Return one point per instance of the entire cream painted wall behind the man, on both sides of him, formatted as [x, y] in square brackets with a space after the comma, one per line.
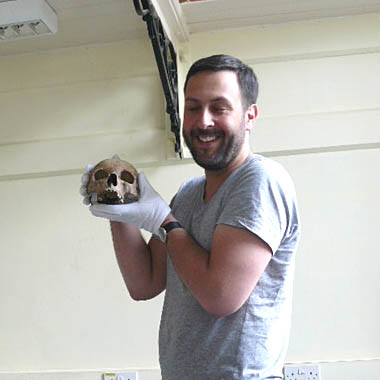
[65, 311]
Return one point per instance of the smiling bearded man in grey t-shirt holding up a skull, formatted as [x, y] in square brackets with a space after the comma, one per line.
[227, 259]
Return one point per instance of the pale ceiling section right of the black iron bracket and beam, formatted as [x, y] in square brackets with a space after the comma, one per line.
[211, 15]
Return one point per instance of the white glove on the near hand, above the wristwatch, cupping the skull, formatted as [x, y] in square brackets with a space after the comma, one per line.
[148, 212]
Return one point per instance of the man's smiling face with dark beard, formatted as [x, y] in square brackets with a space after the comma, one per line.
[214, 125]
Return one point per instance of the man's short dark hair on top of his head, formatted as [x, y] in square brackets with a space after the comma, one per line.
[247, 79]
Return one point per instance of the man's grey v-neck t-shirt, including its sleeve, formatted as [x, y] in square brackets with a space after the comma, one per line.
[252, 342]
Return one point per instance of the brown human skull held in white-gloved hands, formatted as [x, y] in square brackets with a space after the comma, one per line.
[114, 181]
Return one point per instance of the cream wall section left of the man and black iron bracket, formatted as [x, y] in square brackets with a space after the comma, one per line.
[64, 305]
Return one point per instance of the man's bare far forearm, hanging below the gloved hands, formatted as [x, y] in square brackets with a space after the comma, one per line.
[143, 266]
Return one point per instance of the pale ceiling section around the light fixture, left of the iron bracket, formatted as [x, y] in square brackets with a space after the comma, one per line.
[84, 22]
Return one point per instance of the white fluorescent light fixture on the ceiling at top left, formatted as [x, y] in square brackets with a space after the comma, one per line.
[26, 19]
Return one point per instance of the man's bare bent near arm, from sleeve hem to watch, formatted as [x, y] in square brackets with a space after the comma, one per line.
[223, 280]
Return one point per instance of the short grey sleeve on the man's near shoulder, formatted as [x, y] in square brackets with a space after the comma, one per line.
[258, 200]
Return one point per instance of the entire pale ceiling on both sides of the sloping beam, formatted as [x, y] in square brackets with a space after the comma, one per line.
[89, 22]
